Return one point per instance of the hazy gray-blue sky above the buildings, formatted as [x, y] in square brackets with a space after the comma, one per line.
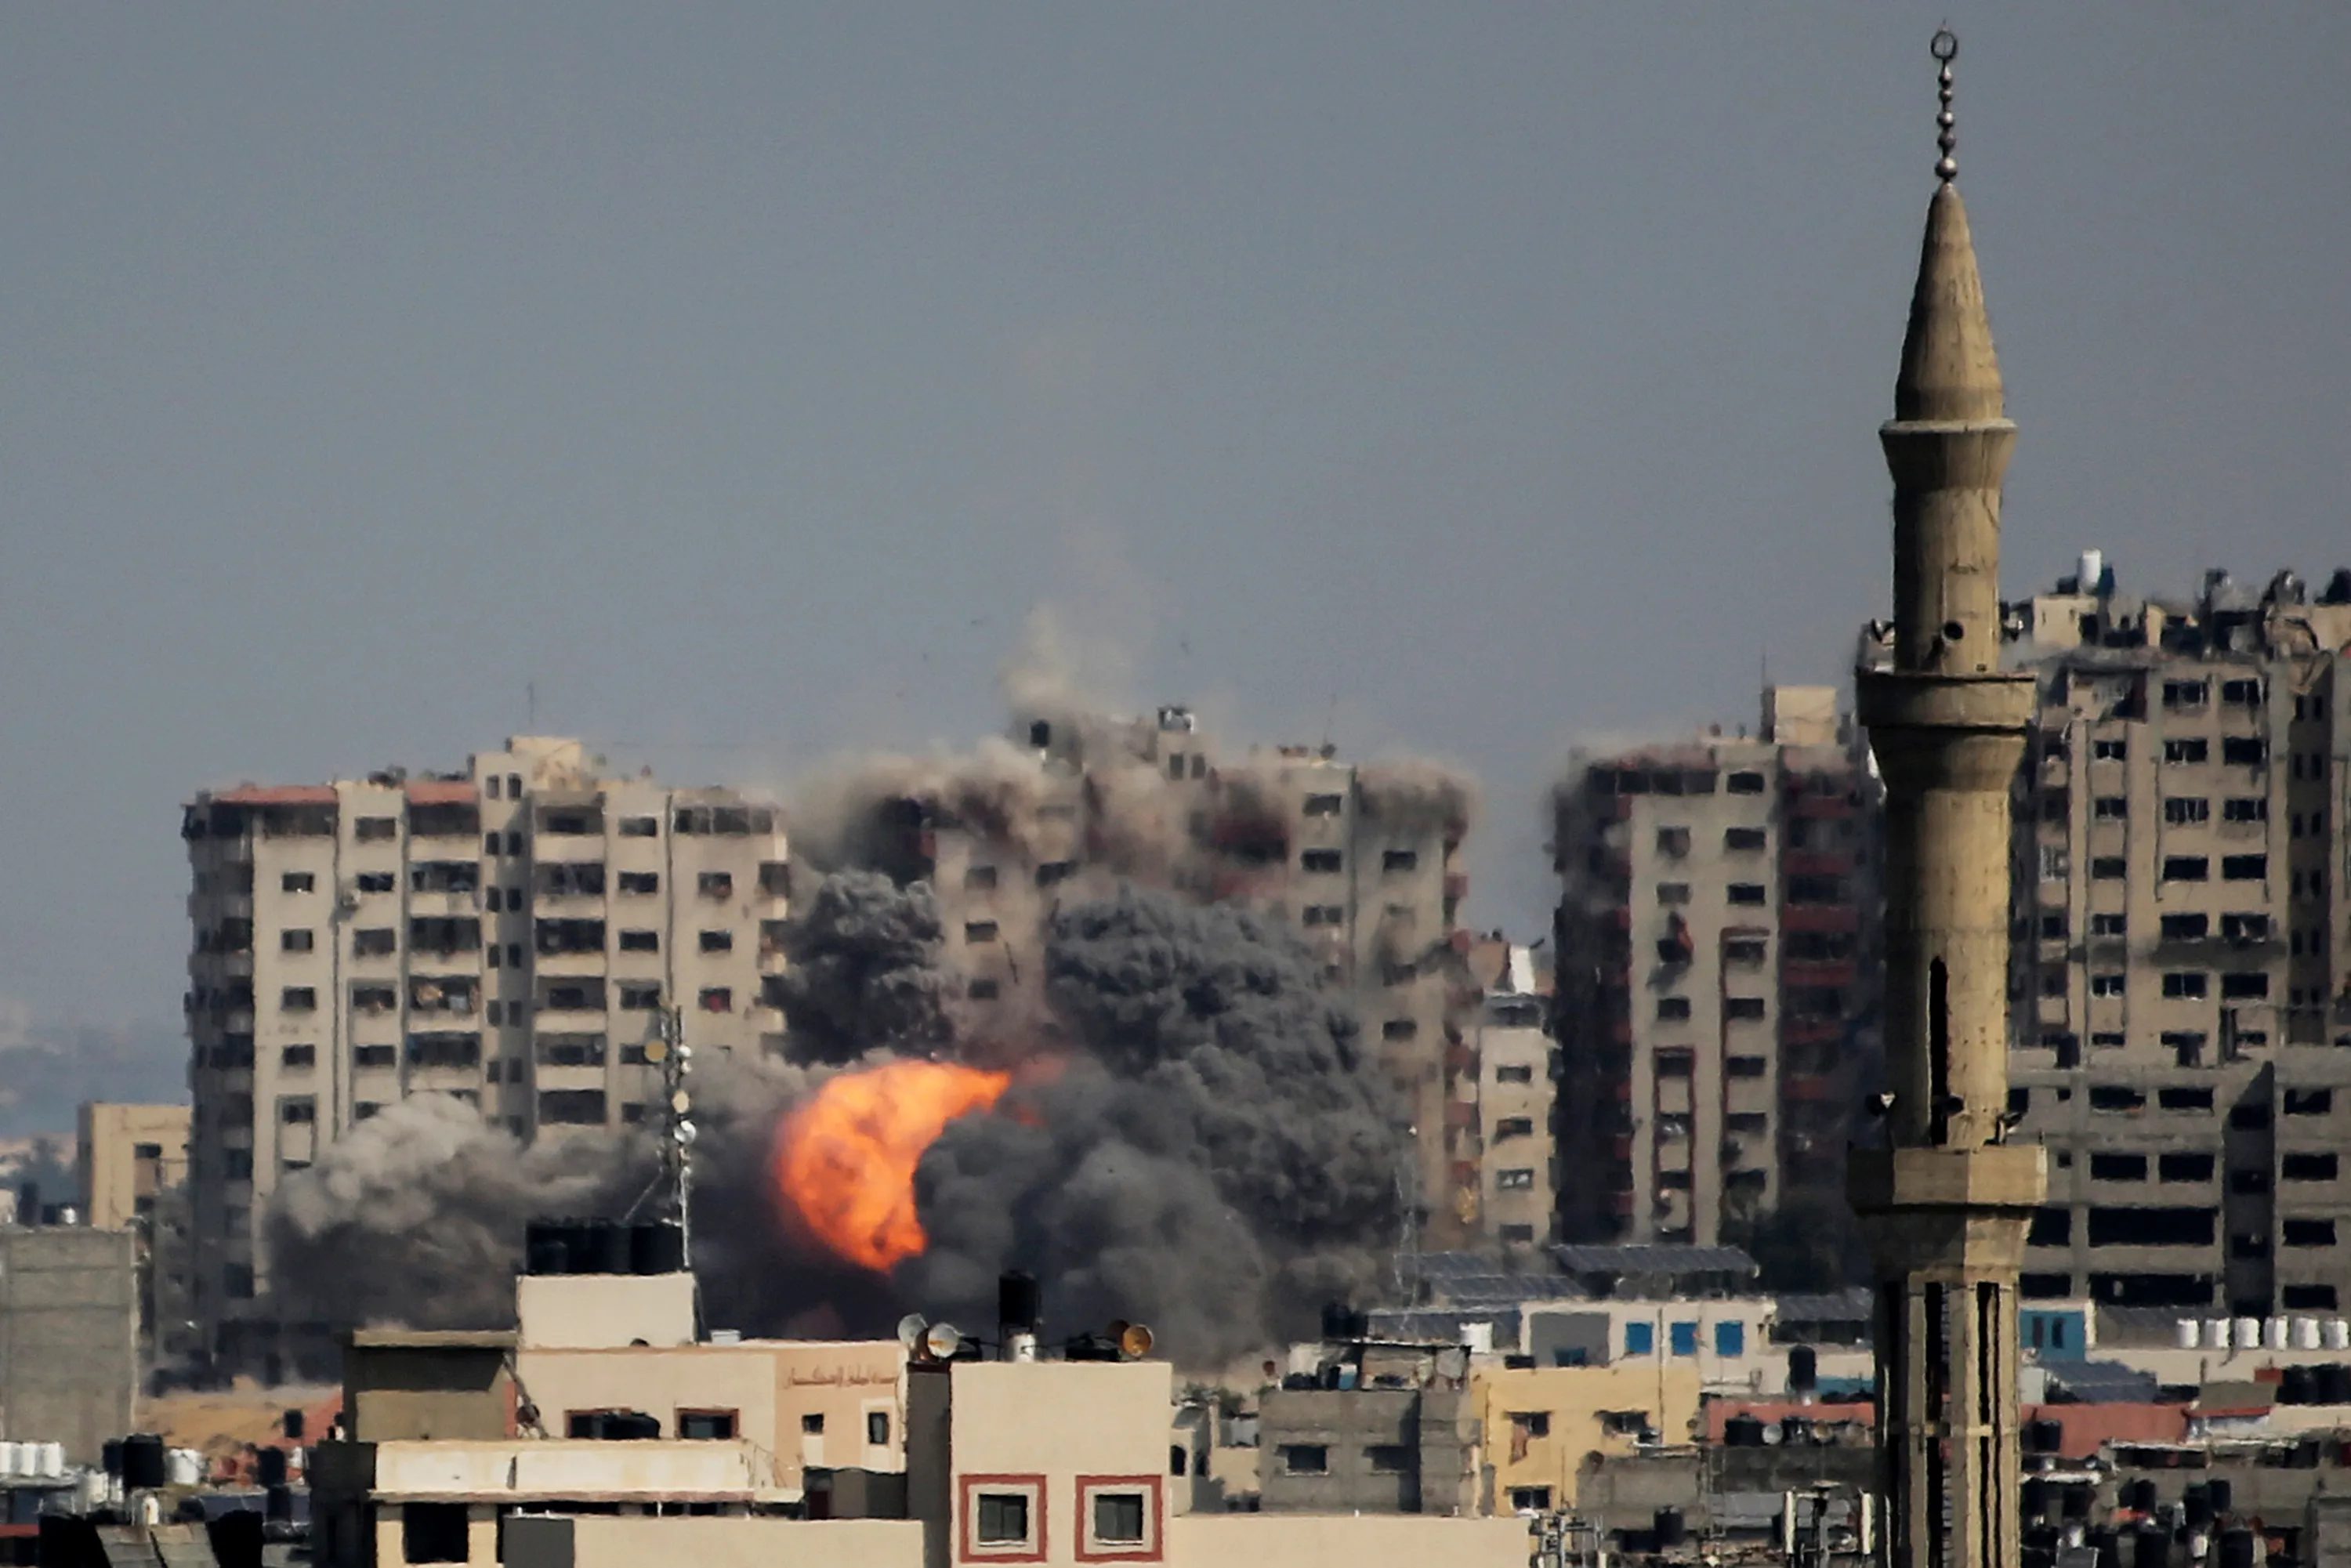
[1456, 377]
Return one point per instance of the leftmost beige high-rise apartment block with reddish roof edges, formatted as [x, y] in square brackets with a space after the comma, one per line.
[507, 937]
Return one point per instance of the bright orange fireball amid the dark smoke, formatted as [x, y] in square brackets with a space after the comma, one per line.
[845, 1158]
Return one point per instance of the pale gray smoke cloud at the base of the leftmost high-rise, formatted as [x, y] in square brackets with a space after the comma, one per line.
[417, 1214]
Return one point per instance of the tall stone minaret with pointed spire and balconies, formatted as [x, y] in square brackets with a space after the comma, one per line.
[1948, 1200]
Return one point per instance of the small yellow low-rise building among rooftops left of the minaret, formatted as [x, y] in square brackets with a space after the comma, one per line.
[1543, 1421]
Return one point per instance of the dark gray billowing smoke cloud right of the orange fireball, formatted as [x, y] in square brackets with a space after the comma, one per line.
[1217, 1160]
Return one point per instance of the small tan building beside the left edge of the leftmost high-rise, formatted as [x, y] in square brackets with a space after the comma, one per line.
[133, 1167]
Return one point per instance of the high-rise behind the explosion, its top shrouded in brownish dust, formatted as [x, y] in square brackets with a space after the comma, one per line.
[1362, 859]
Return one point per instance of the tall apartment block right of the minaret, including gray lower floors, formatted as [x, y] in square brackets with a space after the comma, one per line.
[2181, 944]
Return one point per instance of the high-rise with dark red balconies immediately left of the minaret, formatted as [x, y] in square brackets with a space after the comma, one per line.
[1717, 984]
